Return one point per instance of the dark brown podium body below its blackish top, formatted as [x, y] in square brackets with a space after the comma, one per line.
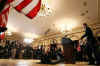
[68, 54]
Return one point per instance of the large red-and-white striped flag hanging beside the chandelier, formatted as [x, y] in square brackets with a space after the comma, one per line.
[30, 8]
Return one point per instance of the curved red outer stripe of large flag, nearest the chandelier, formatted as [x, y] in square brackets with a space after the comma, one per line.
[34, 11]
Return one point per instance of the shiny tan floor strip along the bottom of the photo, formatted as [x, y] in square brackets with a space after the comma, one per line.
[14, 62]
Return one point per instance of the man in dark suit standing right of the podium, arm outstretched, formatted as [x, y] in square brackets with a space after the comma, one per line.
[90, 43]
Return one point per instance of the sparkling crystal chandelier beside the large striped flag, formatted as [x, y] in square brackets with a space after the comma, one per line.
[45, 9]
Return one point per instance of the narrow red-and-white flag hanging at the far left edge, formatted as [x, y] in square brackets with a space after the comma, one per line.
[4, 17]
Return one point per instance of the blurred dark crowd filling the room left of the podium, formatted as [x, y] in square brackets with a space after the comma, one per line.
[15, 50]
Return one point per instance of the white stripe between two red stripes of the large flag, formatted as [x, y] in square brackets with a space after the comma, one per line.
[28, 8]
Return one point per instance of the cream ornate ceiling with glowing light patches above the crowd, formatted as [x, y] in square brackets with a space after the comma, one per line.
[71, 13]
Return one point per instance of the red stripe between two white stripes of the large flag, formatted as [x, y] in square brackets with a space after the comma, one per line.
[23, 4]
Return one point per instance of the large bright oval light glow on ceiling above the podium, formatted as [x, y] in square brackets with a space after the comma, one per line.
[66, 24]
